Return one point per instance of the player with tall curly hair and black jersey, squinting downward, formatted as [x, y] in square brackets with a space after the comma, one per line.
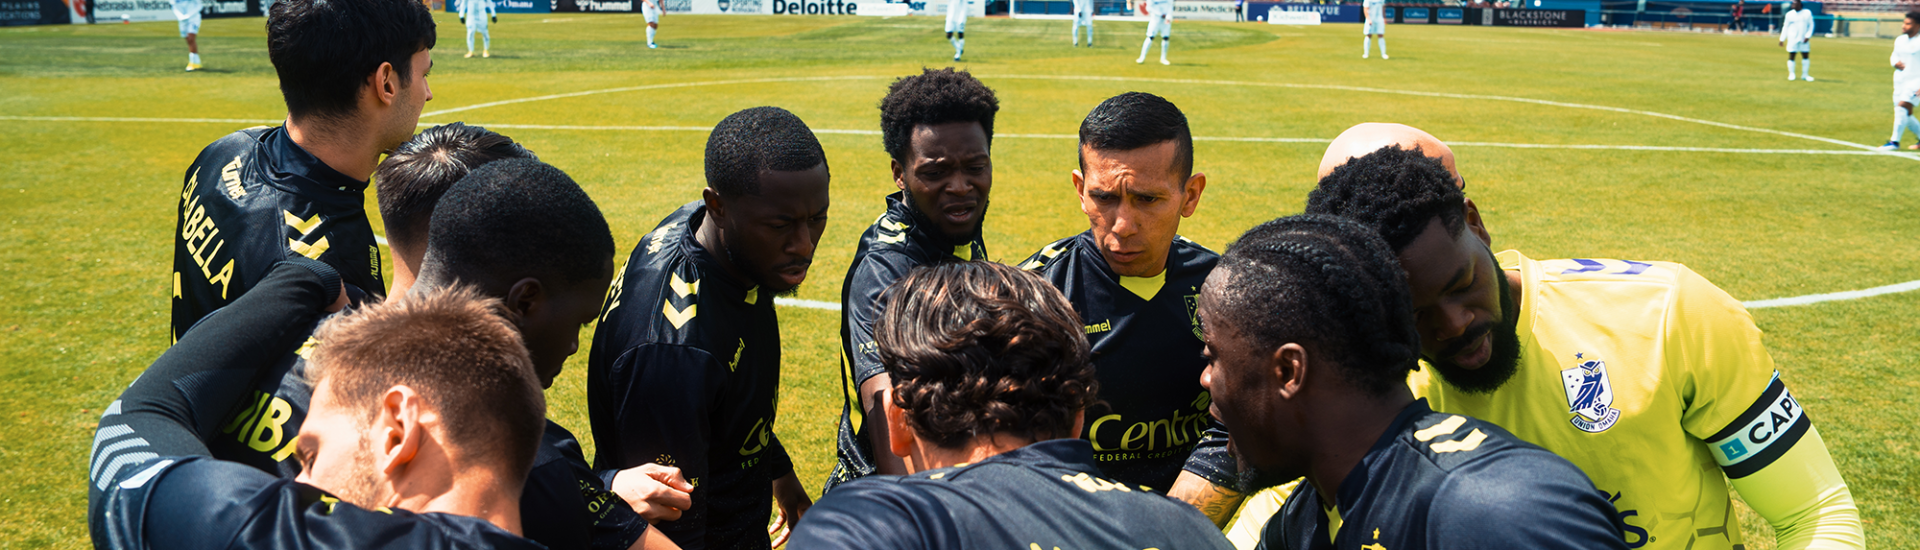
[938, 128]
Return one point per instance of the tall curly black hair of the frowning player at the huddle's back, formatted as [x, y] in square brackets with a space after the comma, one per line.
[934, 99]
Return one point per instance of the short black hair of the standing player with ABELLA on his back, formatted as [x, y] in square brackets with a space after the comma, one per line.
[325, 49]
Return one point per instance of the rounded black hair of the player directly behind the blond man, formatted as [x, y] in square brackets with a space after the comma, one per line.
[517, 218]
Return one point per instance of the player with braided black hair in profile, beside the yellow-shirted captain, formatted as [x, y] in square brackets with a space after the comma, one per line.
[1310, 339]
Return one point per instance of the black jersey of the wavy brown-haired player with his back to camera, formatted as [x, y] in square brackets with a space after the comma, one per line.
[1045, 495]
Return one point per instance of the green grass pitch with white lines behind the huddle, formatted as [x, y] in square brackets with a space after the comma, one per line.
[89, 205]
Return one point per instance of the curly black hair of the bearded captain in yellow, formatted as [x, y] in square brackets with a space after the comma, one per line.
[1397, 191]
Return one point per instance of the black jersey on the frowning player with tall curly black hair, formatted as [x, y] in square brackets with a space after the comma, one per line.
[898, 243]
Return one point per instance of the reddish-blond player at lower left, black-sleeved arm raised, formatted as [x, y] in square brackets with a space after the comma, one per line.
[385, 466]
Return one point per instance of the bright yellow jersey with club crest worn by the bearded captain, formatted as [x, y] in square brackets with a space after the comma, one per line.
[1648, 378]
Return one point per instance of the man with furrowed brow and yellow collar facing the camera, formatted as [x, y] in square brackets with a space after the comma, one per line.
[1134, 282]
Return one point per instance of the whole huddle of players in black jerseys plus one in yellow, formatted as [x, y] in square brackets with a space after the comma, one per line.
[1368, 374]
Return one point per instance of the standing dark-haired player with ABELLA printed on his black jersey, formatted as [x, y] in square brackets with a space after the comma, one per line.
[352, 93]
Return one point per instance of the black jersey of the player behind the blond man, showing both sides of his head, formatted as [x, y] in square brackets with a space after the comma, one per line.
[564, 505]
